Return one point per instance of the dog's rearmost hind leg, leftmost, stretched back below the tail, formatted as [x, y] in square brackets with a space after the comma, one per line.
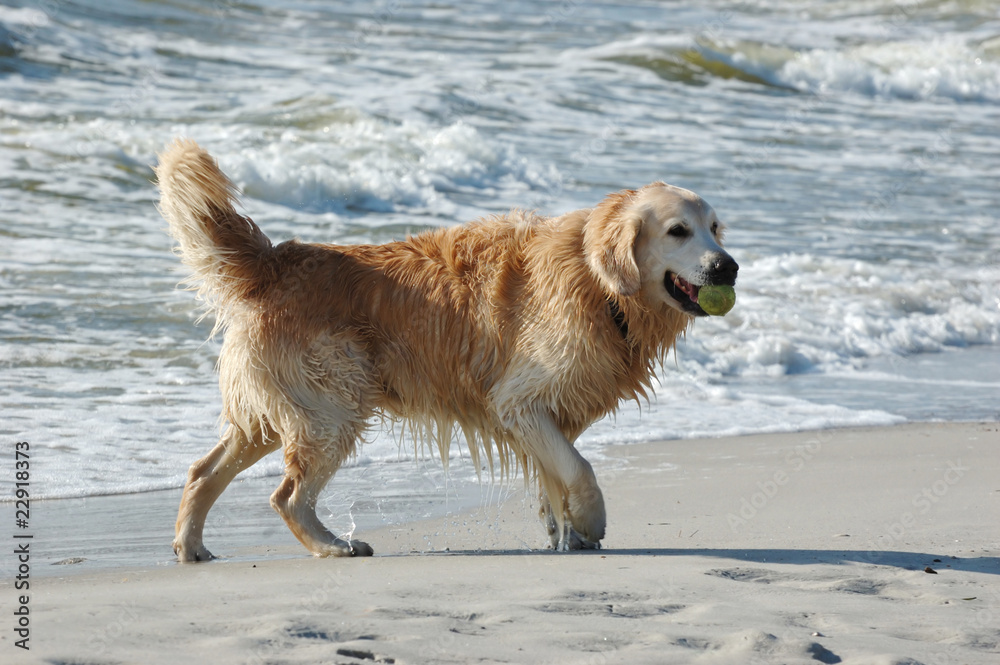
[208, 478]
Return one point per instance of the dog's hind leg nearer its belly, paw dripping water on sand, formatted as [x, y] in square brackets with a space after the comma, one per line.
[295, 499]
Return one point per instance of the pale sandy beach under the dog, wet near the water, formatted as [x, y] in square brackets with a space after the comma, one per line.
[875, 546]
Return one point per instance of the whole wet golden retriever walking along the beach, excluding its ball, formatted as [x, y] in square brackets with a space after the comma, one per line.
[517, 330]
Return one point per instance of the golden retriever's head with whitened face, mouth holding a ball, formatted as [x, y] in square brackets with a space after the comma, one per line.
[662, 241]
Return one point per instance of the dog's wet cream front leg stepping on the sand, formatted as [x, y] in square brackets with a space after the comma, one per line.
[572, 503]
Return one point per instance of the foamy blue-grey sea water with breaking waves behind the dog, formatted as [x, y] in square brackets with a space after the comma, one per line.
[853, 149]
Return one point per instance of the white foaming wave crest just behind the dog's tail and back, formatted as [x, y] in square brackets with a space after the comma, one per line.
[362, 163]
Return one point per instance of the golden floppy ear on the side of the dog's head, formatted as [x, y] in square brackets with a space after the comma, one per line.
[609, 239]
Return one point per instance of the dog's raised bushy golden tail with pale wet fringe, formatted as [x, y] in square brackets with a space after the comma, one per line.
[230, 257]
